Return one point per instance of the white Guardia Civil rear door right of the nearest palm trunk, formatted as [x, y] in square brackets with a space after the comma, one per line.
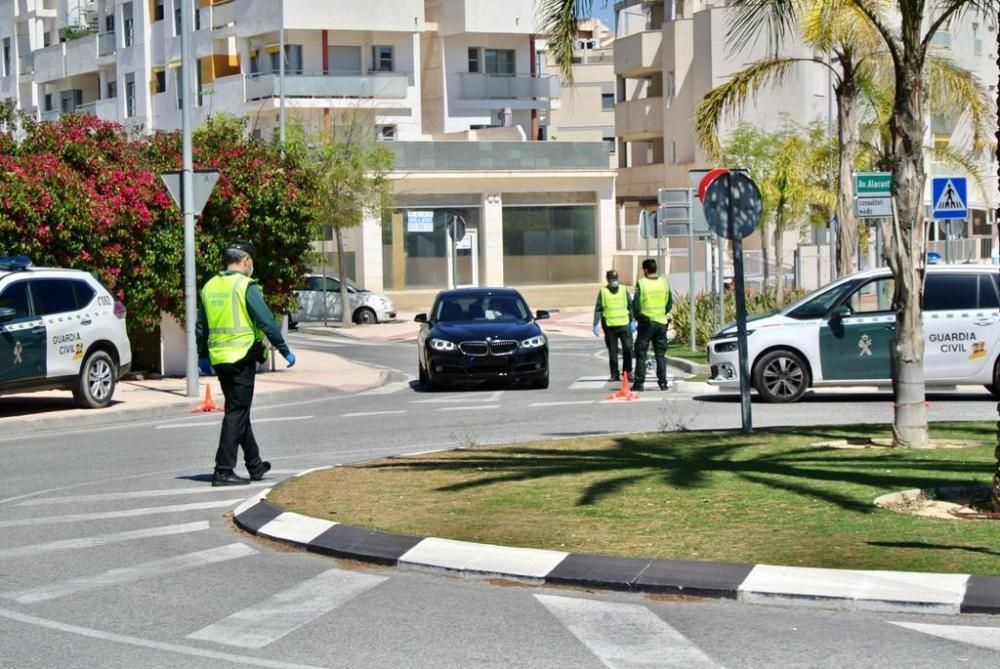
[961, 324]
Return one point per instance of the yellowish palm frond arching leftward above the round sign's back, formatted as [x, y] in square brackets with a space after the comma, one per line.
[727, 98]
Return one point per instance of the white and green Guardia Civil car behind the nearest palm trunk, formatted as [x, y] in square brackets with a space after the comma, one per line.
[843, 335]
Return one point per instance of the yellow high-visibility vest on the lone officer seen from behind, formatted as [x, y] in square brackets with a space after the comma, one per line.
[231, 333]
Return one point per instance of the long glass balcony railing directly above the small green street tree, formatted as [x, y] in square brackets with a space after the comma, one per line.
[381, 85]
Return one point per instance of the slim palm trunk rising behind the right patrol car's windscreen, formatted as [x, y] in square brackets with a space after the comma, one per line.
[847, 134]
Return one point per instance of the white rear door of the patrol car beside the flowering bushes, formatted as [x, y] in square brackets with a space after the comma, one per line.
[67, 331]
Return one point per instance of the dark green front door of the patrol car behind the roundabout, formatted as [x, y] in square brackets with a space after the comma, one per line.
[857, 346]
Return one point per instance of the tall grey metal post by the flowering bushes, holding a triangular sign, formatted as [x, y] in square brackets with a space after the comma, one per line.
[187, 202]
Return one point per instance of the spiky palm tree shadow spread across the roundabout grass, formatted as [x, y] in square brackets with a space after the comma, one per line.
[690, 461]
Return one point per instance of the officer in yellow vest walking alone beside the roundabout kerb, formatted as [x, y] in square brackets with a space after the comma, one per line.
[232, 322]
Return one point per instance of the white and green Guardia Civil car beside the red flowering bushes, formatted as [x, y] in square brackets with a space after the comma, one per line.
[60, 329]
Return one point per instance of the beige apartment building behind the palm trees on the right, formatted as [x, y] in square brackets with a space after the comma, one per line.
[670, 53]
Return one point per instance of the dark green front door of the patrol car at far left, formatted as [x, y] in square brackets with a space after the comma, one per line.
[22, 339]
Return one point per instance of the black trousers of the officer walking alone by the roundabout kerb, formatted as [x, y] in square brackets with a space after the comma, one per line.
[237, 381]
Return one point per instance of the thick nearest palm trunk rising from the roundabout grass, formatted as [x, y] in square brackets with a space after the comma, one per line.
[906, 257]
